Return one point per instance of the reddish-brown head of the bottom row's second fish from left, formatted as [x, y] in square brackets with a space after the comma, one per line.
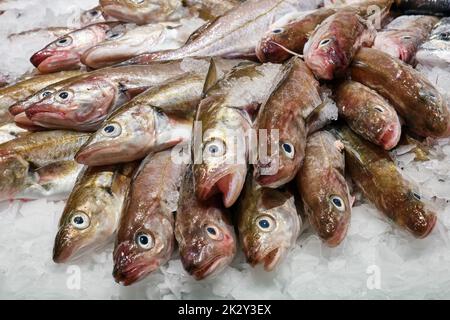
[141, 252]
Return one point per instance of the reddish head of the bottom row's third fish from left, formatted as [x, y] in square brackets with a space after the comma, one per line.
[209, 246]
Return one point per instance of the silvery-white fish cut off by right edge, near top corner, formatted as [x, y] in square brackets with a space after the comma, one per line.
[436, 51]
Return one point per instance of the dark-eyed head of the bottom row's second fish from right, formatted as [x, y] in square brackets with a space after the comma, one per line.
[330, 212]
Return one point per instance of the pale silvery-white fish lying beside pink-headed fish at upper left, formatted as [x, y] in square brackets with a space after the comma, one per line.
[124, 44]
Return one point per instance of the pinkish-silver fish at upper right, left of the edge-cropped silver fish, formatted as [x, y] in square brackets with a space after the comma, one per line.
[403, 36]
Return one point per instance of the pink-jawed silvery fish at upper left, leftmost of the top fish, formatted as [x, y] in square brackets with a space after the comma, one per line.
[65, 52]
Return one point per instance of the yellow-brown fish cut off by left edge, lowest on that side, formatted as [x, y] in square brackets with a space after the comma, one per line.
[27, 160]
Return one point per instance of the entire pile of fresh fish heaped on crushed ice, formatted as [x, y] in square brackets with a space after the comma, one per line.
[270, 116]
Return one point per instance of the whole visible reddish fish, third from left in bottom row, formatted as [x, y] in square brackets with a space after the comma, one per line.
[205, 236]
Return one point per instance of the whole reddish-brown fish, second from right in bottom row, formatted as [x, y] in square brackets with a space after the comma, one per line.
[323, 188]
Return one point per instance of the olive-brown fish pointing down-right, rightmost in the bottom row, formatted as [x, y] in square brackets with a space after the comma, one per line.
[380, 181]
